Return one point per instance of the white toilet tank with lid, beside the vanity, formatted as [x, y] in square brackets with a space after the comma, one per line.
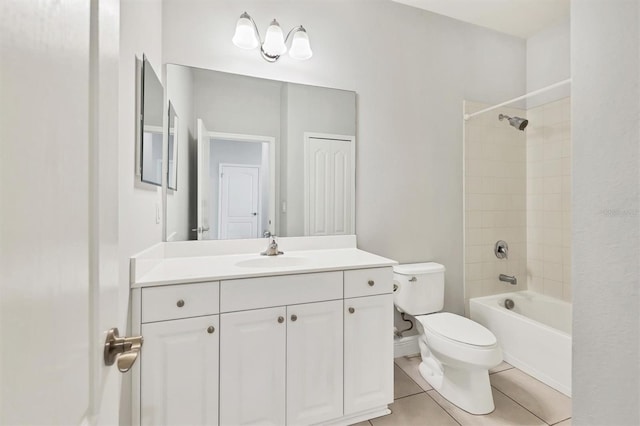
[419, 288]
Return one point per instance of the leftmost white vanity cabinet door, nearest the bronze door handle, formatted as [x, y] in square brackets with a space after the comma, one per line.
[179, 372]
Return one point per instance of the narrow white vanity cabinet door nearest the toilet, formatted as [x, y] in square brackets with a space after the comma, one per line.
[368, 352]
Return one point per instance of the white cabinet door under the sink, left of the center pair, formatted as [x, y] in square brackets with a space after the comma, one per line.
[252, 367]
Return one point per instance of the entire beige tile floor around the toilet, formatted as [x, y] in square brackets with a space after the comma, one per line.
[520, 400]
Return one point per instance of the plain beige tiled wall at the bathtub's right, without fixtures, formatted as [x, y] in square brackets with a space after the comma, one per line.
[549, 199]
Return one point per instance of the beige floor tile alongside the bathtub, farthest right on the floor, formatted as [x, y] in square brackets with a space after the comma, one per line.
[542, 400]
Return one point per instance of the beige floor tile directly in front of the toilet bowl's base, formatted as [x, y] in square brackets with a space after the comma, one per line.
[507, 412]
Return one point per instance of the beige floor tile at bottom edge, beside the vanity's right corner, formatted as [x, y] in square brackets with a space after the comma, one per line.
[415, 410]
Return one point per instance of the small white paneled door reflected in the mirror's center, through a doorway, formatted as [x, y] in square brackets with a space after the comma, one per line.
[239, 201]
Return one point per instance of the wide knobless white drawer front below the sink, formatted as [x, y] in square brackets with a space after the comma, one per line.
[264, 292]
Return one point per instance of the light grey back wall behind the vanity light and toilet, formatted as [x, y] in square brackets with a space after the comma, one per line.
[411, 70]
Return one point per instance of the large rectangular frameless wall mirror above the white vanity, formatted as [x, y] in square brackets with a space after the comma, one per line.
[260, 157]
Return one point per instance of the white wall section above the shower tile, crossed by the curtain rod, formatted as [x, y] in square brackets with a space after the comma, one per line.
[549, 61]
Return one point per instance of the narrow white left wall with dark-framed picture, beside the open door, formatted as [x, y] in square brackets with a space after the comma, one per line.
[140, 32]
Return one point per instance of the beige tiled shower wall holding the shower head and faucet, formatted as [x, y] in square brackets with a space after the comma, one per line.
[495, 202]
